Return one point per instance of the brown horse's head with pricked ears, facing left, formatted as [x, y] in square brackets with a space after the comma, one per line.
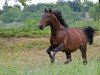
[46, 19]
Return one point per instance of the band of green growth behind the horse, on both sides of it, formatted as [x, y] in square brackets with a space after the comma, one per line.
[31, 29]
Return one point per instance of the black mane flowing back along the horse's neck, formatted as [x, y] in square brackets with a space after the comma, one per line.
[59, 17]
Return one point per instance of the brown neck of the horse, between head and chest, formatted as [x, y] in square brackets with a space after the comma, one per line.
[56, 26]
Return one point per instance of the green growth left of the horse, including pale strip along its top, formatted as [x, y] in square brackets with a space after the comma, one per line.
[22, 30]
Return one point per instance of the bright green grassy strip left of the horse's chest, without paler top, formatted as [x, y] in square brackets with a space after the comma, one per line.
[23, 31]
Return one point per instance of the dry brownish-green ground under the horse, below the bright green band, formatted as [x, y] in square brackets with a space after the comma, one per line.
[27, 56]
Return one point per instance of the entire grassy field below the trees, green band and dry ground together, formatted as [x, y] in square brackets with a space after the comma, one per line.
[23, 51]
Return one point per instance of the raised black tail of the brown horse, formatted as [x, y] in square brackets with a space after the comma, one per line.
[89, 33]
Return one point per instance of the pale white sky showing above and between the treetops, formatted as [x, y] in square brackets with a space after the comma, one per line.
[12, 2]
